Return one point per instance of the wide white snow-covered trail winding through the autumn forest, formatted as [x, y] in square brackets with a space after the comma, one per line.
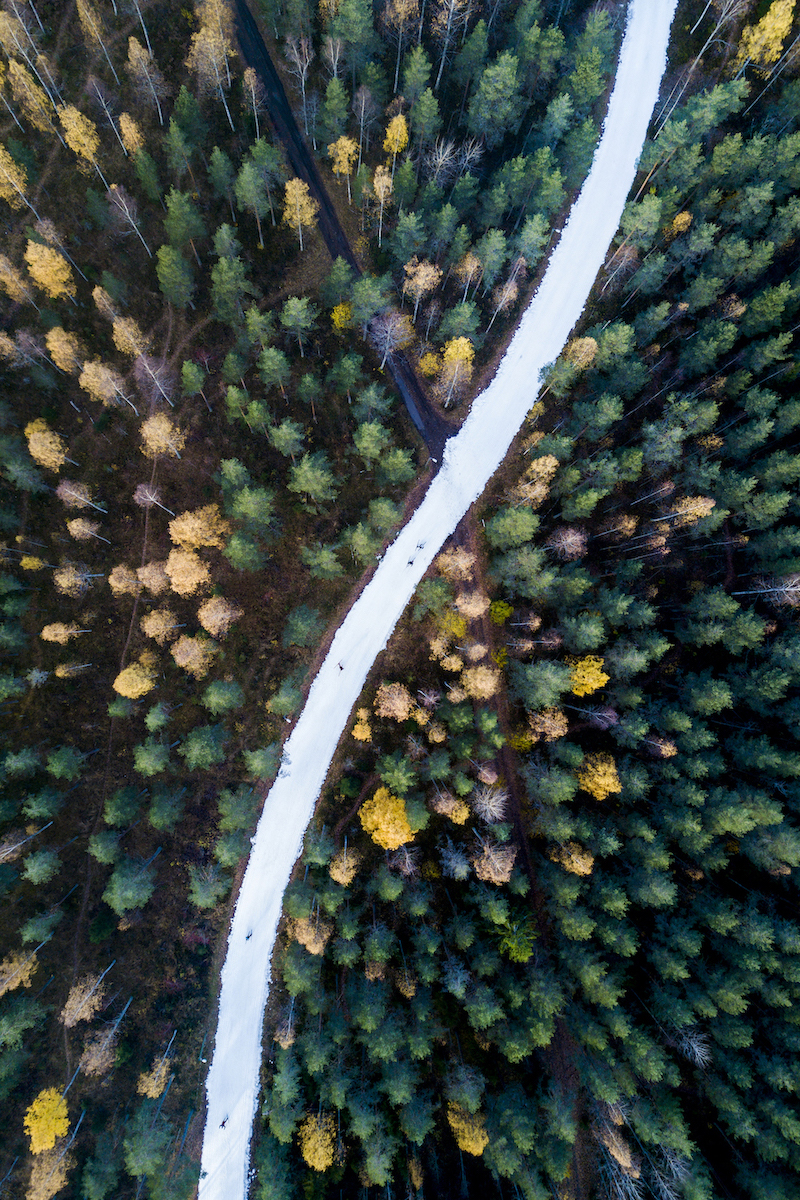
[471, 459]
